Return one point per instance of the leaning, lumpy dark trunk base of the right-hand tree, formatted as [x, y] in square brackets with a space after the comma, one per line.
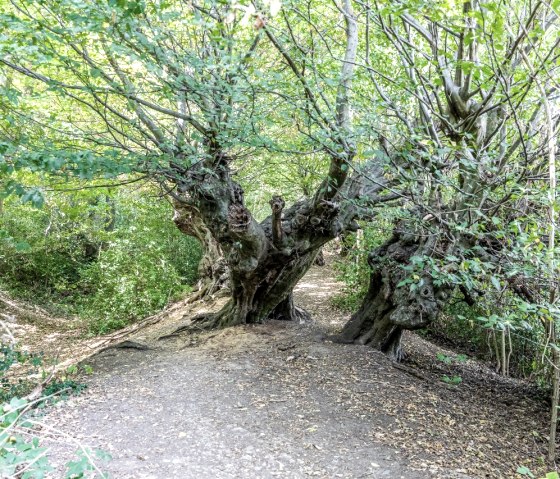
[387, 308]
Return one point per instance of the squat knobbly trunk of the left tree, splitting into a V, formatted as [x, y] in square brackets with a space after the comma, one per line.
[266, 260]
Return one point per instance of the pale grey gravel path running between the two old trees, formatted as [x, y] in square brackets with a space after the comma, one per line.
[250, 402]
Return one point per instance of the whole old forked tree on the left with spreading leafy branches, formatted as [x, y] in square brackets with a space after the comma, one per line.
[180, 90]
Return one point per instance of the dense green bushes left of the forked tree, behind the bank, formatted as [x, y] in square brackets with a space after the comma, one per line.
[110, 256]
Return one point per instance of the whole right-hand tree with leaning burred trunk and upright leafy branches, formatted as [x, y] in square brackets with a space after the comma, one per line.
[463, 151]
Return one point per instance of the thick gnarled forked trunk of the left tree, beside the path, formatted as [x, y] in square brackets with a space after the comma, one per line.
[259, 263]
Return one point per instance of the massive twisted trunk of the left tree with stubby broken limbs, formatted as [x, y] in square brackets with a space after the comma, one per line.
[265, 259]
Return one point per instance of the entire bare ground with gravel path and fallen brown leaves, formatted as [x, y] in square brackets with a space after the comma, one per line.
[278, 400]
